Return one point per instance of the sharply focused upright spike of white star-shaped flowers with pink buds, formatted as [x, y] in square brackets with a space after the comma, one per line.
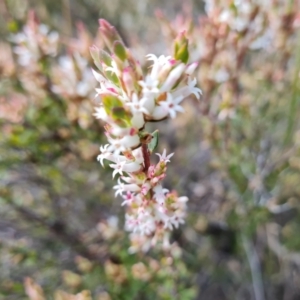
[129, 100]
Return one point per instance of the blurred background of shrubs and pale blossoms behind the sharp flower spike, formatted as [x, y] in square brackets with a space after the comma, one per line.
[236, 153]
